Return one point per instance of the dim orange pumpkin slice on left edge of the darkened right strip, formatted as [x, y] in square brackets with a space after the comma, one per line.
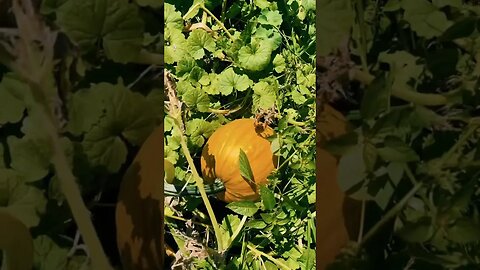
[338, 216]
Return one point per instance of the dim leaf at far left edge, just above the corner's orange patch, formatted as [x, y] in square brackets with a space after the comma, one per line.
[21, 200]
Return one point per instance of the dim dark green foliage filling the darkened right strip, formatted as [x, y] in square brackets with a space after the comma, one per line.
[413, 153]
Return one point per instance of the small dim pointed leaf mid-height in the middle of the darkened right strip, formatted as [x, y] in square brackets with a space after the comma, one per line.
[396, 150]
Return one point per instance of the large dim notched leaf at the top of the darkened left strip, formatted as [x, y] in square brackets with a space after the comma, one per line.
[114, 22]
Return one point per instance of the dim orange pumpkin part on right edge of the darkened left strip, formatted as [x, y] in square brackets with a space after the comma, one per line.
[139, 218]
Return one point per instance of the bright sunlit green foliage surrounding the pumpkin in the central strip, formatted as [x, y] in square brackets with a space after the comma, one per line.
[239, 61]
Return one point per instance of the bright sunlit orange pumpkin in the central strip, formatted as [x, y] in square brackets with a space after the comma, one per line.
[220, 158]
